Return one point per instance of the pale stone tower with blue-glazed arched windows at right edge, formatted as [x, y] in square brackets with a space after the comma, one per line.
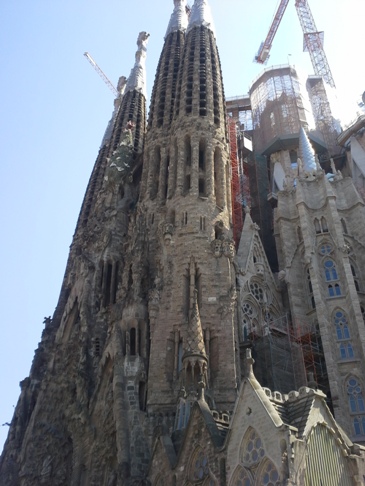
[319, 241]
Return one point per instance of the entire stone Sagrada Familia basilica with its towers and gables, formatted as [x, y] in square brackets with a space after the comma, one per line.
[210, 326]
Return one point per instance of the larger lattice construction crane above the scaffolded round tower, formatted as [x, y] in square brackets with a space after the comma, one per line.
[313, 40]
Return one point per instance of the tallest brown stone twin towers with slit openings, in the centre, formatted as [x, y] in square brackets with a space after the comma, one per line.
[185, 197]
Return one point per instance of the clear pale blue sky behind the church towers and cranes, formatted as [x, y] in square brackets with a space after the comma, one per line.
[54, 109]
